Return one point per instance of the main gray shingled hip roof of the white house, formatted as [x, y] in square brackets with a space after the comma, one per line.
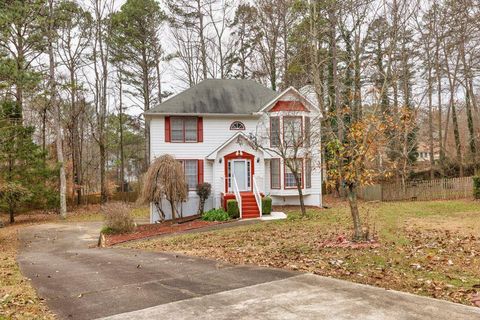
[218, 97]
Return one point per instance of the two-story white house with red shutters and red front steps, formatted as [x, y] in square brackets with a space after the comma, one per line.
[210, 129]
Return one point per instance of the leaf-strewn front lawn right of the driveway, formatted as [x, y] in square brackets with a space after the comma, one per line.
[428, 248]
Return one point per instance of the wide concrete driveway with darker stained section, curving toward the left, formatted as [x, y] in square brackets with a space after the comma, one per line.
[80, 281]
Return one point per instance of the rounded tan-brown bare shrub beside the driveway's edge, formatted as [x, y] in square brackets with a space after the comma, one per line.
[117, 218]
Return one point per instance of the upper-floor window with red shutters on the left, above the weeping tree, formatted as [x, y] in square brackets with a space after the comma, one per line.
[183, 129]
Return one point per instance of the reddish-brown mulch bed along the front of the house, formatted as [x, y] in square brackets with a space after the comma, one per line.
[150, 230]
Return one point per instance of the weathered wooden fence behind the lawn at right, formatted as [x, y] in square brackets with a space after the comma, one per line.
[440, 189]
